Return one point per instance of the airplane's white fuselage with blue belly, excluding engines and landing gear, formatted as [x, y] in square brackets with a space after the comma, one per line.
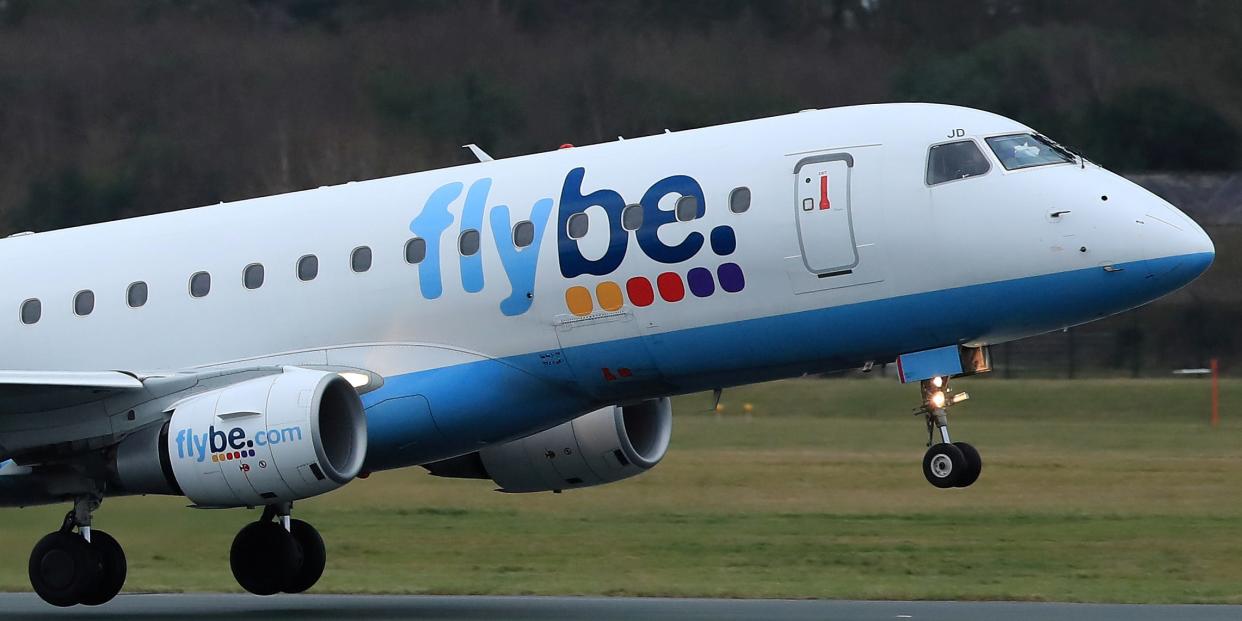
[932, 266]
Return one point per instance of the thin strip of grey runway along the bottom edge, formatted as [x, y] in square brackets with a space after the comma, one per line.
[601, 609]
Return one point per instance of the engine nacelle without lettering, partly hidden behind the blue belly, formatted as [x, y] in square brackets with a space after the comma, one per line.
[599, 448]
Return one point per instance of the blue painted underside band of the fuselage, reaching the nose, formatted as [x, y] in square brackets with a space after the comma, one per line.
[491, 401]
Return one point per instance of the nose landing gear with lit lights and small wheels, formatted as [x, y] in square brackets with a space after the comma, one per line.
[947, 464]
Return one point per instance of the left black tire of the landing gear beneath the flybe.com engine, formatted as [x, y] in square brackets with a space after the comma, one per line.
[264, 558]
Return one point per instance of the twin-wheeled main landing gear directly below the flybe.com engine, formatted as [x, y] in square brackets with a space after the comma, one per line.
[278, 553]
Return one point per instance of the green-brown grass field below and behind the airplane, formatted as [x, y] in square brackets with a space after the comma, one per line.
[1092, 491]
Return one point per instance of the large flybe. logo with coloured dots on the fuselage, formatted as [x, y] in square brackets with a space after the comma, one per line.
[520, 259]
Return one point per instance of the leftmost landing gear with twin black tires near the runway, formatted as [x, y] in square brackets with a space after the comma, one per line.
[88, 567]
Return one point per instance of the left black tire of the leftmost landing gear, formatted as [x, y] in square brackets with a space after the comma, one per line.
[63, 569]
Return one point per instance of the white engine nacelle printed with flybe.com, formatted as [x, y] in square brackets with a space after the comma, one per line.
[275, 439]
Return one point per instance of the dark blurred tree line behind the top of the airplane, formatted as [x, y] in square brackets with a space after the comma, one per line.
[120, 109]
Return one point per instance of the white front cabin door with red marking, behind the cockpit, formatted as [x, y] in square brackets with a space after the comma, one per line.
[825, 225]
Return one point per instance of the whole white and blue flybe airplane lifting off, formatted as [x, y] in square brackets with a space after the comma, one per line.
[527, 320]
